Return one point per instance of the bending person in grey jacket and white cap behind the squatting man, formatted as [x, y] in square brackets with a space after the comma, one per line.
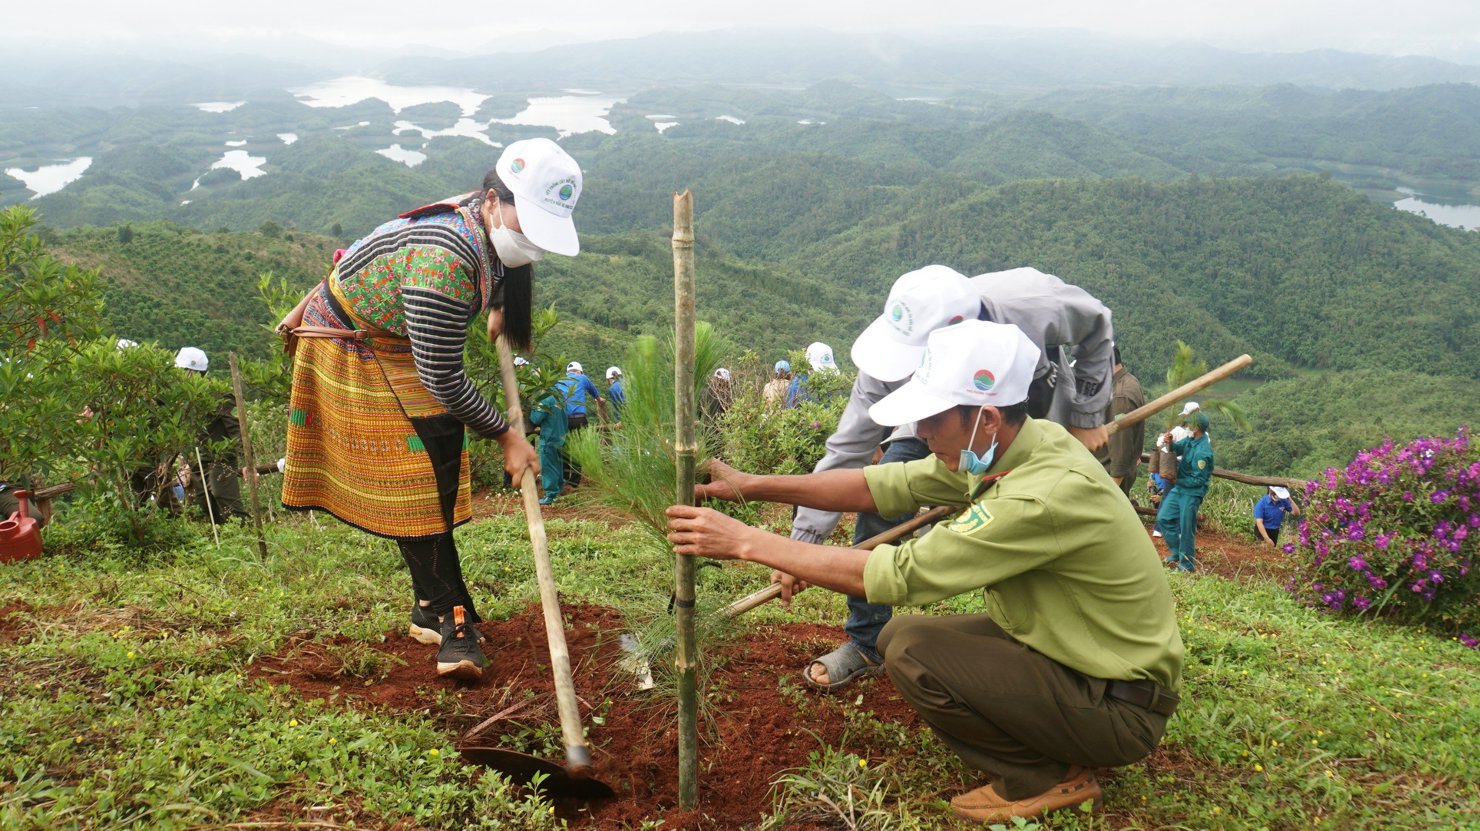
[1046, 309]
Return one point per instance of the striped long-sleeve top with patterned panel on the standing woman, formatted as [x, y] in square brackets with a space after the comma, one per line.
[427, 278]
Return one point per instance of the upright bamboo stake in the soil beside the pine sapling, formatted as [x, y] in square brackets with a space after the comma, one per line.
[686, 657]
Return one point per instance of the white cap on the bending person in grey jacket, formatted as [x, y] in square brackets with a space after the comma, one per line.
[920, 303]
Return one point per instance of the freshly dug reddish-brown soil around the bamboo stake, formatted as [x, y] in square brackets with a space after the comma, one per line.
[751, 731]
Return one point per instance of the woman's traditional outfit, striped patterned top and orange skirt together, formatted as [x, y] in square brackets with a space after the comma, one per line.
[377, 427]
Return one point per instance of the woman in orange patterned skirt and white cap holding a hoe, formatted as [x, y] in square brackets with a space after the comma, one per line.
[381, 401]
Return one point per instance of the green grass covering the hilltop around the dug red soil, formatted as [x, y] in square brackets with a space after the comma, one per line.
[127, 701]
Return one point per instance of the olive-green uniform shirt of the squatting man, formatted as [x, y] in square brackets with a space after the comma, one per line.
[1065, 564]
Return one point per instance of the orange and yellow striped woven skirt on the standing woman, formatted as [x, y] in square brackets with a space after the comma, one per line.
[366, 442]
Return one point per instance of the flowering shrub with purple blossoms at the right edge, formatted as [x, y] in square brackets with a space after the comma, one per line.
[1395, 534]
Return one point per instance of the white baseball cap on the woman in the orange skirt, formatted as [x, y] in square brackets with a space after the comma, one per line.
[547, 184]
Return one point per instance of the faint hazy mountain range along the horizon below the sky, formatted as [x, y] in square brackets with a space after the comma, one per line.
[1001, 64]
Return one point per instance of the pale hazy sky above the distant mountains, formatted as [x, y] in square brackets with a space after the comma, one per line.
[1447, 29]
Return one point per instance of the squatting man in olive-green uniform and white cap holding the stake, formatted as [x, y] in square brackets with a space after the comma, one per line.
[1077, 663]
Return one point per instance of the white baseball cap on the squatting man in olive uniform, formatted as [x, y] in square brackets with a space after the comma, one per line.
[973, 364]
